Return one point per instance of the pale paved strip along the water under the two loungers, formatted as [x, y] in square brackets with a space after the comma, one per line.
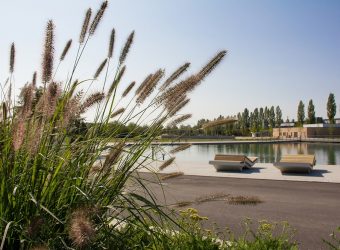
[266, 171]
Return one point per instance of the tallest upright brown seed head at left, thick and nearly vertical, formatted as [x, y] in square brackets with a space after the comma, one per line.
[47, 64]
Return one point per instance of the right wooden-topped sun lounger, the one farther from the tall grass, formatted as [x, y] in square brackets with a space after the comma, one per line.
[296, 163]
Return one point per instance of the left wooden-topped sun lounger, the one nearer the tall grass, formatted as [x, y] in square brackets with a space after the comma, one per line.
[232, 162]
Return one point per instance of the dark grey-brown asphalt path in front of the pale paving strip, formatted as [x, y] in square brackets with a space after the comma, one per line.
[312, 208]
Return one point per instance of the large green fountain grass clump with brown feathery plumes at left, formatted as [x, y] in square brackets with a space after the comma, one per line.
[64, 182]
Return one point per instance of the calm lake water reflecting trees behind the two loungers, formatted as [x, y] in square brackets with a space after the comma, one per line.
[325, 153]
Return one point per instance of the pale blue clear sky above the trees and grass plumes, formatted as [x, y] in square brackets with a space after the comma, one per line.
[279, 52]
